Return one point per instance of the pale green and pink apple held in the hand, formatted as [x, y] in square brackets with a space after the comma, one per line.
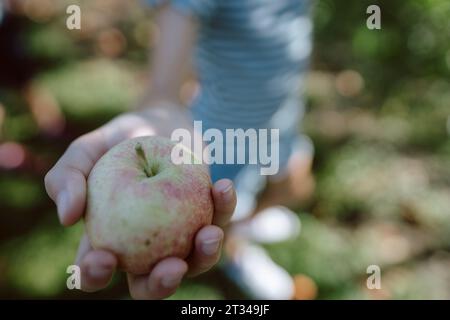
[142, 207]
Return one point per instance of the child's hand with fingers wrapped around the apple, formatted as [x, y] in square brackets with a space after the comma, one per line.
[66, 185]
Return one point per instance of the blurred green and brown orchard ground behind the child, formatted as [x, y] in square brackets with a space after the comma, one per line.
[378, 113]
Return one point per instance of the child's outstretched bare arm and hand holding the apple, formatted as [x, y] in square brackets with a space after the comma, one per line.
[159, 114]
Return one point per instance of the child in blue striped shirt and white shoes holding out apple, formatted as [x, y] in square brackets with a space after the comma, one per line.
[250, 58]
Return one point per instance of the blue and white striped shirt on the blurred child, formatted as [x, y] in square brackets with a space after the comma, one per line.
[250, 58]
